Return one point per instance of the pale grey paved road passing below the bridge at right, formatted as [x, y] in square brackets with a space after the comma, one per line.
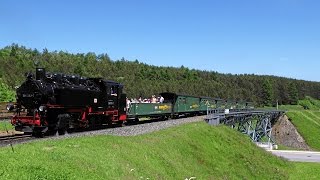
[298, 156]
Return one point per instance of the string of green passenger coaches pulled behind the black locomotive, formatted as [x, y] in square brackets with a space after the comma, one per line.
[176, 105]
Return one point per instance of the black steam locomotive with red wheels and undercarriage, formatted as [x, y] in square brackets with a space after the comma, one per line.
[55, 103]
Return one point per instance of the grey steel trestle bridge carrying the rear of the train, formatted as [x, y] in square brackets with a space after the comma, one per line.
[257, 124]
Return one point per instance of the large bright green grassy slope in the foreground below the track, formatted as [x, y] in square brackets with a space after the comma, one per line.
[193, 150]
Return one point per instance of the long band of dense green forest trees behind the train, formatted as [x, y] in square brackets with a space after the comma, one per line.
[141, 79]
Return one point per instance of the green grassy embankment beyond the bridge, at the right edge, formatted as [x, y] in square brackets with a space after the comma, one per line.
[307, 121]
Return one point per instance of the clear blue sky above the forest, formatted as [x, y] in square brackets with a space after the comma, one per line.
[274, 37]
